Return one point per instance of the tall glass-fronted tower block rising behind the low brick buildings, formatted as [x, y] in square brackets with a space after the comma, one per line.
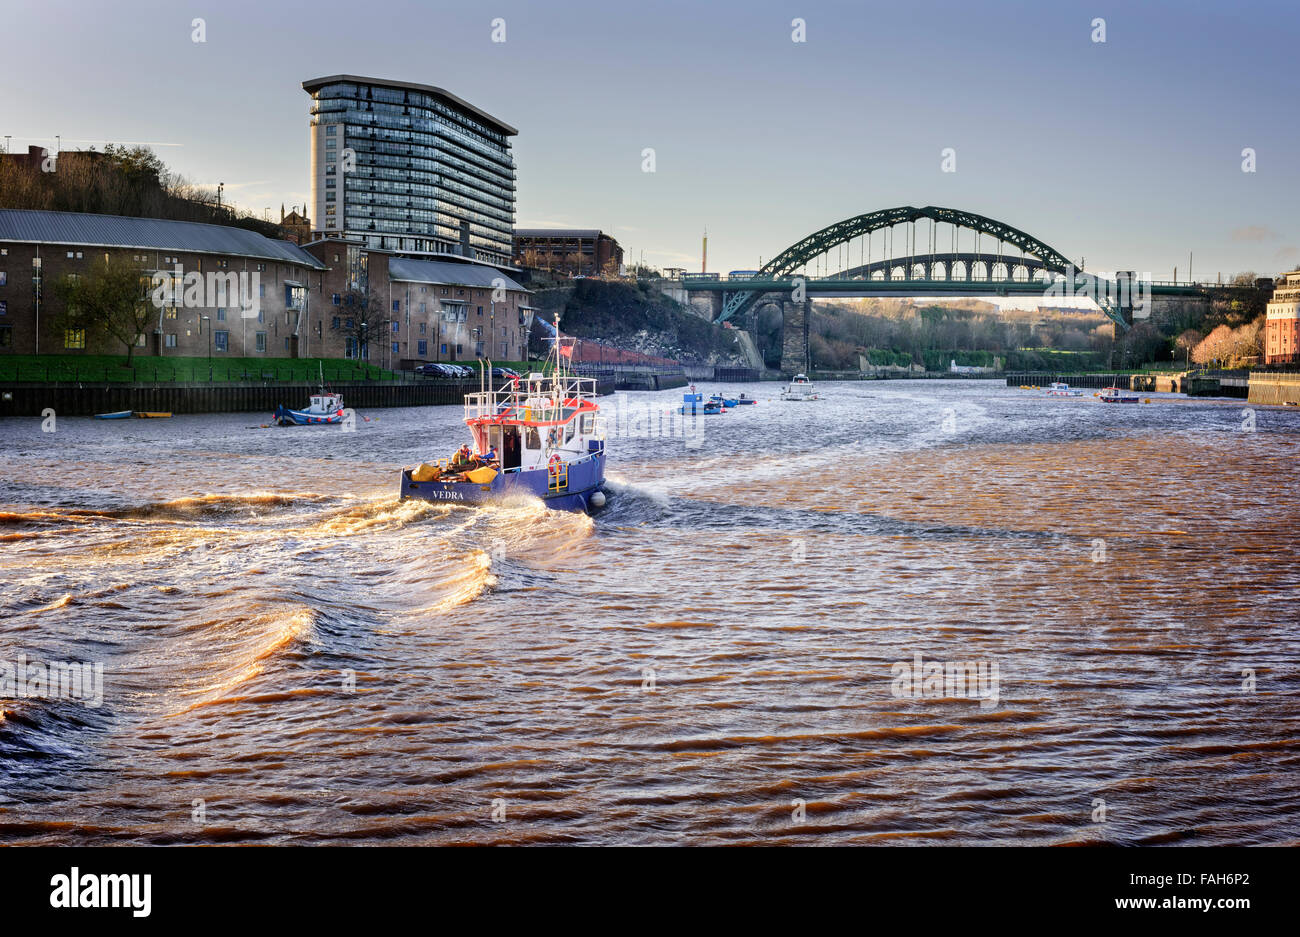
[410, 170]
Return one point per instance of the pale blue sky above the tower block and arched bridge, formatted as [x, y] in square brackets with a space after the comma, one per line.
[1126, 154]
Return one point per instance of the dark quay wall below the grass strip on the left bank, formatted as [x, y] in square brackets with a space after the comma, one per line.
[71, 400]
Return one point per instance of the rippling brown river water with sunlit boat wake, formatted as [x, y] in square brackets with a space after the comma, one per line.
[725, 656]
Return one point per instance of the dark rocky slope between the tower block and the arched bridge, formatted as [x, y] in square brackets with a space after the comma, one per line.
[640, 319]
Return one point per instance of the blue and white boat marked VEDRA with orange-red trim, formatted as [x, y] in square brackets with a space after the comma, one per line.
[535, 436]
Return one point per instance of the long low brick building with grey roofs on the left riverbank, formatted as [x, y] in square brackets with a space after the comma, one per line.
[432, 310]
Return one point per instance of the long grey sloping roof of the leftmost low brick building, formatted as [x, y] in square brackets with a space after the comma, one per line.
[146, 235]
